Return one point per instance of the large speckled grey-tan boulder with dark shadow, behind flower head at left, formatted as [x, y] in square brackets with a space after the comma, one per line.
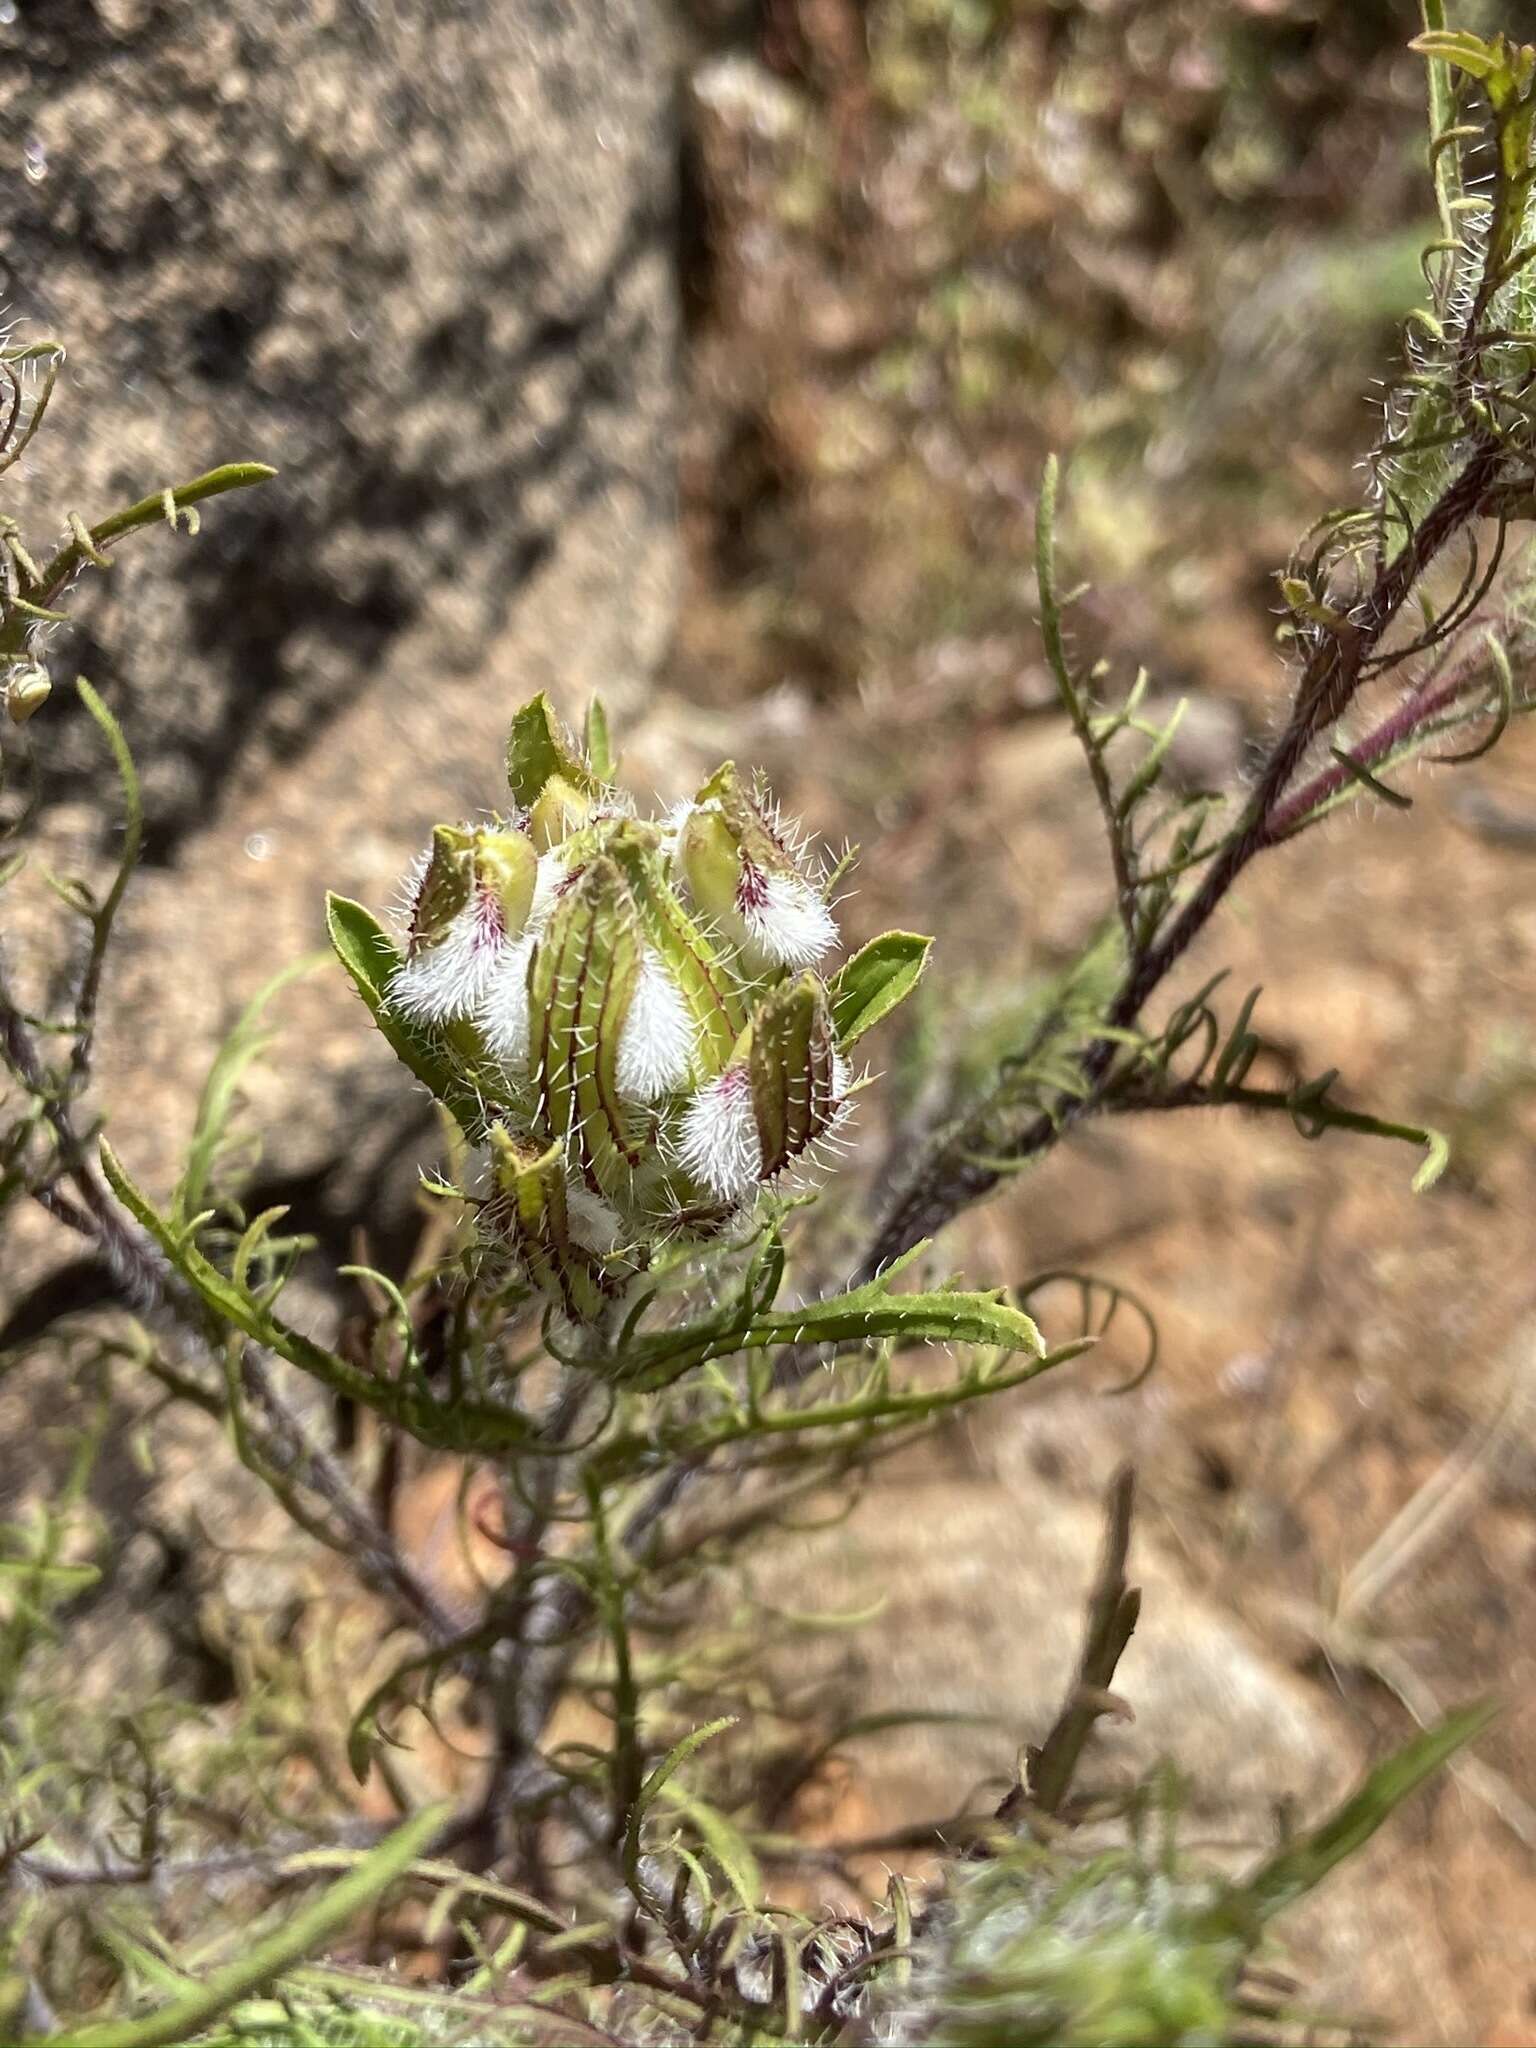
[421, 259]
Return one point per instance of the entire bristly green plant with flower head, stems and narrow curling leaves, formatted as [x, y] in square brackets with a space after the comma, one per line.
[617, 1322]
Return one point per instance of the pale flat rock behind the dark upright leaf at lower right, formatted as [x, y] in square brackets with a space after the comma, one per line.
[984, 1588]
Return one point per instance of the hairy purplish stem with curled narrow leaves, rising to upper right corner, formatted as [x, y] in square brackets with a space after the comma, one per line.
[1392, 652]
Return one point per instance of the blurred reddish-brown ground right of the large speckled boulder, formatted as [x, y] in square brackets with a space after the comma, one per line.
[916, 290]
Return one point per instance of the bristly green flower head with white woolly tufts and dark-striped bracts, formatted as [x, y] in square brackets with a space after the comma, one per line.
[628, 1015]
